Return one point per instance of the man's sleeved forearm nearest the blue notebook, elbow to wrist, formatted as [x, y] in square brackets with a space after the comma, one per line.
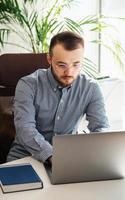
[34, 143]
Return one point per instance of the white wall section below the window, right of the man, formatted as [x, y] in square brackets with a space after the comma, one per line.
[114, 94]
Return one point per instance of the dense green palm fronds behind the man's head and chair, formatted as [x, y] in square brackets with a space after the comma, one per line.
[34, 26]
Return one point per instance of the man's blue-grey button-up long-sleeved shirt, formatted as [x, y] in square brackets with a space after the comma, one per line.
[42, 108]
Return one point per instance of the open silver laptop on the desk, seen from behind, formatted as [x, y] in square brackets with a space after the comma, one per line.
[88, 157]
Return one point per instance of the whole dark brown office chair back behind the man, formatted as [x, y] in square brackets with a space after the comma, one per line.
[12, 68]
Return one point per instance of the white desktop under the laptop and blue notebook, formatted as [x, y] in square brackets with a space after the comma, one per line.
[99, 190]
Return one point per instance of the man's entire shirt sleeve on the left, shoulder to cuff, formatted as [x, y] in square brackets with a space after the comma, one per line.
[24, 118]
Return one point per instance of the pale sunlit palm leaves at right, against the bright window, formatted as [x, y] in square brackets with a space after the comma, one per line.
[110, 42]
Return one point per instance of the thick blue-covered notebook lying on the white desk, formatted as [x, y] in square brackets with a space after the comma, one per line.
[19, 177]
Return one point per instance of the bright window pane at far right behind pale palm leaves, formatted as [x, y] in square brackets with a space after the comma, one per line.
[109, 65]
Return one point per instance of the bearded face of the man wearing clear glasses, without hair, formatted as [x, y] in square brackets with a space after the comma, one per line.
[66, 64]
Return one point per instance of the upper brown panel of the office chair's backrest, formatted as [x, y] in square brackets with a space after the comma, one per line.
[14, 66]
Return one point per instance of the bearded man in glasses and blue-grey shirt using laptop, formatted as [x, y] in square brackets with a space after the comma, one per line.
[52, 101]
